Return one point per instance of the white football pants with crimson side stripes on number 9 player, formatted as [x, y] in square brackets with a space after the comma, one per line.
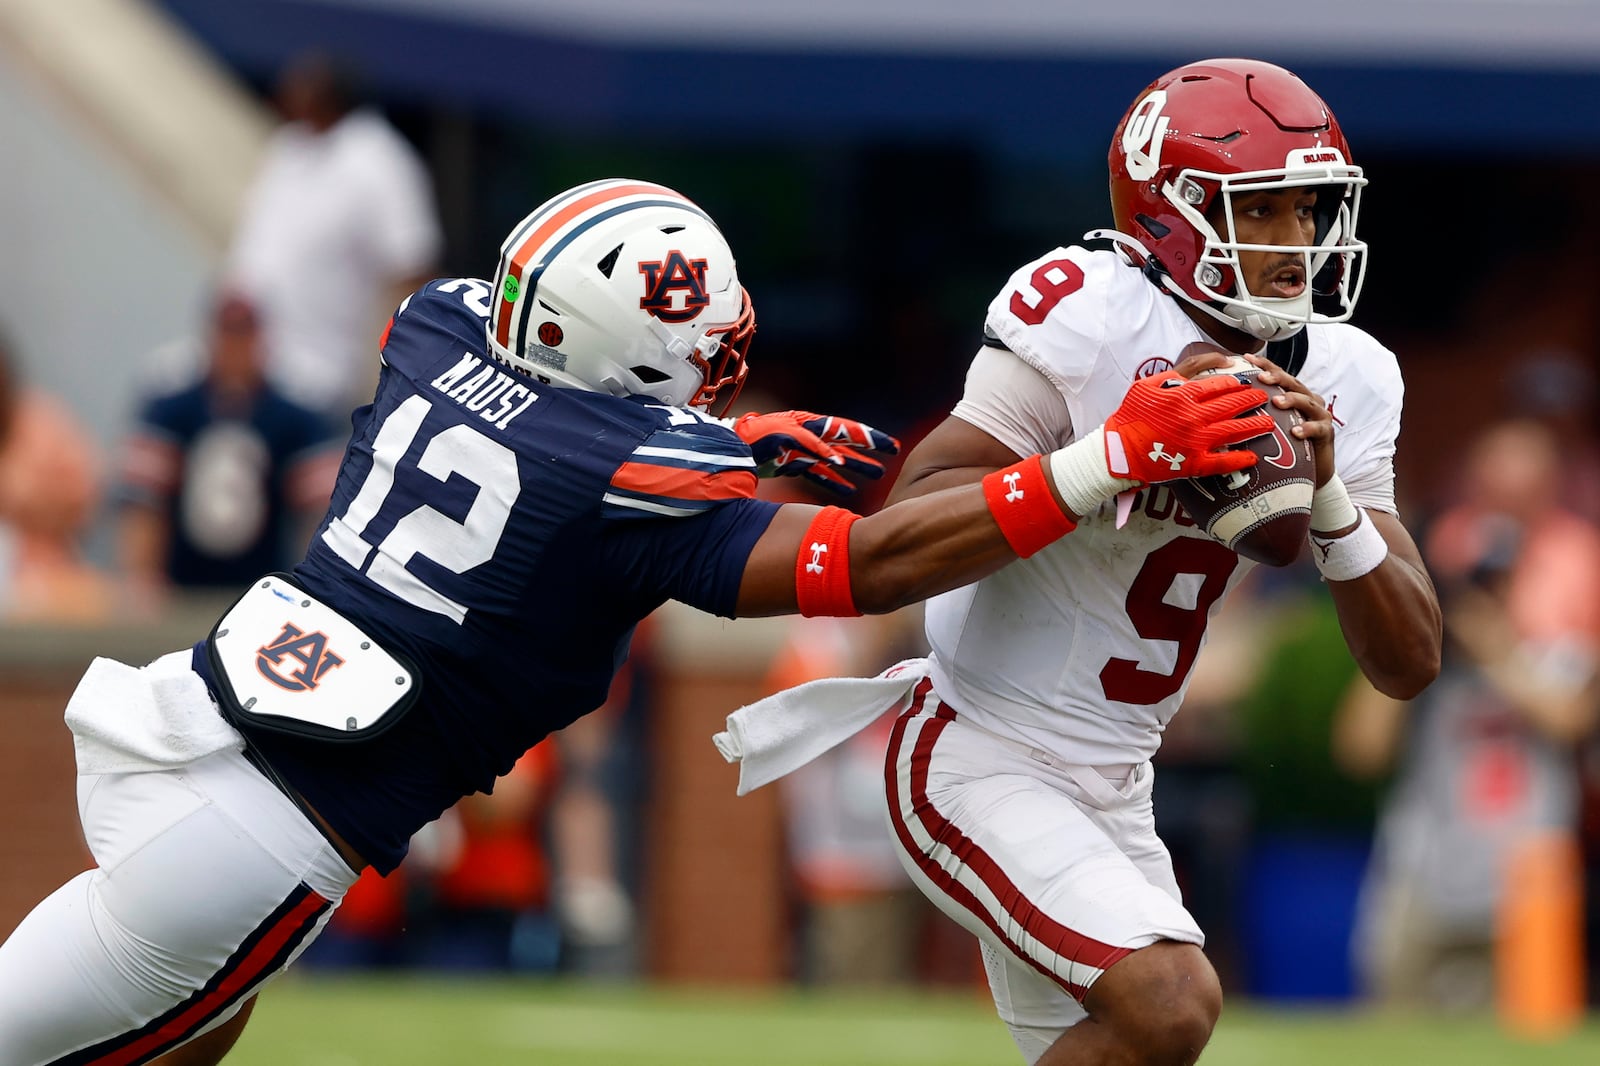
[1054, 868]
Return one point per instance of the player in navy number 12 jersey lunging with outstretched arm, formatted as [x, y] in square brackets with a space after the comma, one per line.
[538, 471]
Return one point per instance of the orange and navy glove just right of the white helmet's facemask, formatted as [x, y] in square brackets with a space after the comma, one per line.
[818, 447]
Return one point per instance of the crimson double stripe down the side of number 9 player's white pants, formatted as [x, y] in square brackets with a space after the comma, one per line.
[1058, 939]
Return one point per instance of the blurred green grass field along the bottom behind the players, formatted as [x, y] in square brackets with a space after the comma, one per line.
[430, 1022]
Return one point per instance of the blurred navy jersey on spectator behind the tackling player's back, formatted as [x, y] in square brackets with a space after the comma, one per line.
[236, 481]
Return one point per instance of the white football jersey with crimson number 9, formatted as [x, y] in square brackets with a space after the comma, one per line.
[1086, 649]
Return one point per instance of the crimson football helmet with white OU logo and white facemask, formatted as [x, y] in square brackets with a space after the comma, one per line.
[1214, 130]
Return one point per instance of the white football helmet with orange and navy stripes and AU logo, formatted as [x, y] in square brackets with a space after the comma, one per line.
[623, 287]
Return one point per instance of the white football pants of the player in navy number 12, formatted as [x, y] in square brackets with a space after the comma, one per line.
[209, 884]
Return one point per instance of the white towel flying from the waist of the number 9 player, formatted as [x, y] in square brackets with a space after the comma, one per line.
[790, 729]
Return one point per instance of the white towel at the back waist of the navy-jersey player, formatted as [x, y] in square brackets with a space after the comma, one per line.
[132, 719]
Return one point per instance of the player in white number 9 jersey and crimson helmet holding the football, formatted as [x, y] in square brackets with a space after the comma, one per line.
[1020, 777]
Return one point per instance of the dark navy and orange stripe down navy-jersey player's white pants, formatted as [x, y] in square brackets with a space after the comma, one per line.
[263, 953]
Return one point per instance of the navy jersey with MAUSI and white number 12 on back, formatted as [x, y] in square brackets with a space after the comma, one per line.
[506, 537]
